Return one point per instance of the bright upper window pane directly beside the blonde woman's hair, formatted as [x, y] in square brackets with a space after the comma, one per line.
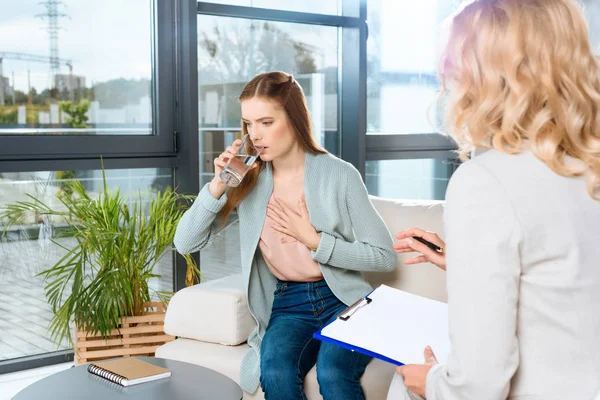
[402, 50]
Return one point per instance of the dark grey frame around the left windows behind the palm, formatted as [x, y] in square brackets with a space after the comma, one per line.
[170, 112]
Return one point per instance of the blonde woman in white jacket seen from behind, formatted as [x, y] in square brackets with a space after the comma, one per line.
[522, 219]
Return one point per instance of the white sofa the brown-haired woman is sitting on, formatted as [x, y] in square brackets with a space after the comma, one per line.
[212, 319]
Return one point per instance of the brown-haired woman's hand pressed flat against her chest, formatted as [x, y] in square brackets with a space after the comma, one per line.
[286, 220]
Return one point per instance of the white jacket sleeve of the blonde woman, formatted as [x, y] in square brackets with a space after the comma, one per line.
[483, 239]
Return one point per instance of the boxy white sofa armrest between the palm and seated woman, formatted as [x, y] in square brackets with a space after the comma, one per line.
[215, 312]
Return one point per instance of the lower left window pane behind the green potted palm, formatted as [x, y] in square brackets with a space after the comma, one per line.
[27, 250]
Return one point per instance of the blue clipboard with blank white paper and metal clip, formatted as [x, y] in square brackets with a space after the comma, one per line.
[382, 309]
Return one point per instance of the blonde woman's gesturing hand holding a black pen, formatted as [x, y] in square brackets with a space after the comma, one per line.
[408, 244]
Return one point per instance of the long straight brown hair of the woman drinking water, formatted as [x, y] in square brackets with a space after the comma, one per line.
[284, 90]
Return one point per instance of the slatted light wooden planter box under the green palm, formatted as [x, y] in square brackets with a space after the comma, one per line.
[140, 335]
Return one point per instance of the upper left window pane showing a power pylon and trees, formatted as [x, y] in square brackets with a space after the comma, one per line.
[95, 54]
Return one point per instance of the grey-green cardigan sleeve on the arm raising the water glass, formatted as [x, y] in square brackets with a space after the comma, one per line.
[199, 224]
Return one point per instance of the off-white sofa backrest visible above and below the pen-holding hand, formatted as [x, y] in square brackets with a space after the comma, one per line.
[421, 279]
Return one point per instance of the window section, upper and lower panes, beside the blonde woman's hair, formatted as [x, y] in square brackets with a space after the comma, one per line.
[406, 157]
